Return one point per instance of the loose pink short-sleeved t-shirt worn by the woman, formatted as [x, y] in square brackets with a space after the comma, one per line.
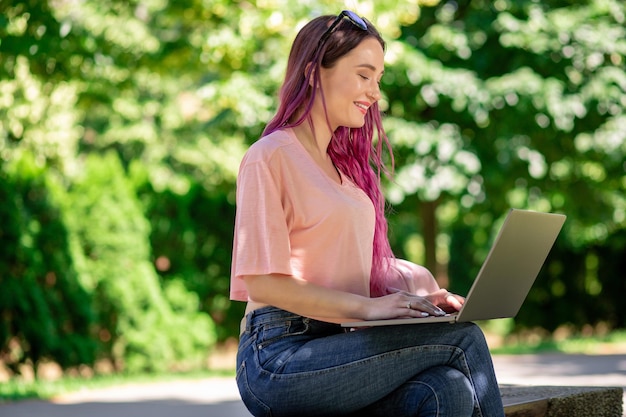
[293, 219]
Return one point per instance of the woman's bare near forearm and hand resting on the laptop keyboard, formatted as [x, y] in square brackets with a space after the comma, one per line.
[311, 300]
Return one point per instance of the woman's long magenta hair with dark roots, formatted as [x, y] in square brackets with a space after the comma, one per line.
[353, 151]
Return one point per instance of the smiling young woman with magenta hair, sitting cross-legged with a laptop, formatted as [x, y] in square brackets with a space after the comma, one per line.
[311, 251]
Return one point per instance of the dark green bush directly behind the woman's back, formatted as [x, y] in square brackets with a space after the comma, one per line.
[191, 238]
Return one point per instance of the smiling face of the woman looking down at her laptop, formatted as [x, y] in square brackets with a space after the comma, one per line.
[351, 86]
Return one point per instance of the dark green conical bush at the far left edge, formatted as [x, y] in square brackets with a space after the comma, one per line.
[44, 310]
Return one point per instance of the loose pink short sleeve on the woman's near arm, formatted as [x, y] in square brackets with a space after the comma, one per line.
[261, 244]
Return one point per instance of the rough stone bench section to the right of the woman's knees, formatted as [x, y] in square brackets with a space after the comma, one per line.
[552, 401]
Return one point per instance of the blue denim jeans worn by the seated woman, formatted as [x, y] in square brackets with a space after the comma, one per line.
[289, 365]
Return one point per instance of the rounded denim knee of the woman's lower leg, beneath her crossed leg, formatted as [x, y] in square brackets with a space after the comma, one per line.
[441, 391]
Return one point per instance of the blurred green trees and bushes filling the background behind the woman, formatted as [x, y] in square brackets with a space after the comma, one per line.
[122, 124]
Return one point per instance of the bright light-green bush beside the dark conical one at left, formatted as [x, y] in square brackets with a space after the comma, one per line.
[141, 326]
